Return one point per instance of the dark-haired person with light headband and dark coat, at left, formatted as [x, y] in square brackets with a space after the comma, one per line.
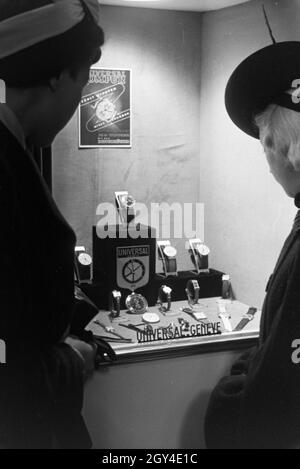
[46, 50]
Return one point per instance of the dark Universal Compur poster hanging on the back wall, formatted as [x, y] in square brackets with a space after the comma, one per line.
[105, 109]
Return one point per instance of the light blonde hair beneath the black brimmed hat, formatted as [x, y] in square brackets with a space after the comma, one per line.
[279, 130]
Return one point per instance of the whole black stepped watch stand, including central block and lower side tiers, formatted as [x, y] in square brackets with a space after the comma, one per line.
[125, 260]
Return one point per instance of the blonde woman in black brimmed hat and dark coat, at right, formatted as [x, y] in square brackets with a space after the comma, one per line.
[258, 405]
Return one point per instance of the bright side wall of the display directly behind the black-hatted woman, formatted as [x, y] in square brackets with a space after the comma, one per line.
[247, 214]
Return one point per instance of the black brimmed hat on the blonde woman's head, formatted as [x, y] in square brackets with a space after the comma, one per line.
[263, 78]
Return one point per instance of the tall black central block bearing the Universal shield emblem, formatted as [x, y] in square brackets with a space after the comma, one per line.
[124, 260]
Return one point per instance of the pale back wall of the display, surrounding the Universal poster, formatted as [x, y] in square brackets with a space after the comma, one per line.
[163, 50]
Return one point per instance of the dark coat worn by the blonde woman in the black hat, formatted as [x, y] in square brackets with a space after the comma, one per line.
[258, 405]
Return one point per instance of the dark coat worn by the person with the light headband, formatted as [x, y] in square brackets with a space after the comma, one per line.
[41, 385]
